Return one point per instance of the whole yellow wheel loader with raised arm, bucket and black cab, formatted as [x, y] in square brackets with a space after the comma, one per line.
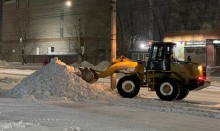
[170, 78]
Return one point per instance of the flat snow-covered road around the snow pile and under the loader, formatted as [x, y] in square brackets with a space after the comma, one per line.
[200, 111]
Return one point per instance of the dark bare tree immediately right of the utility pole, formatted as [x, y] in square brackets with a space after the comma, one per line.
[127, 16]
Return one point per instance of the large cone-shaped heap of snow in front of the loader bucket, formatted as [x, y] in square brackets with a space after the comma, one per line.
[58, 80]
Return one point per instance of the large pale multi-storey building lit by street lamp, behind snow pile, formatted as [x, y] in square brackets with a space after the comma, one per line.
[56, 28]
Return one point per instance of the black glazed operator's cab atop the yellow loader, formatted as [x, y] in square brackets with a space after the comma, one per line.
[160, 57]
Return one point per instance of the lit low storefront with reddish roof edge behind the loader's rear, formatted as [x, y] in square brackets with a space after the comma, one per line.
[203, 46]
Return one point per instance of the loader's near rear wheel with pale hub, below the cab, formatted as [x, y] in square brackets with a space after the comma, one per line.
[168, 90]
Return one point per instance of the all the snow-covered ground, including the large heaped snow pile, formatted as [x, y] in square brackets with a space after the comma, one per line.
[52, 99]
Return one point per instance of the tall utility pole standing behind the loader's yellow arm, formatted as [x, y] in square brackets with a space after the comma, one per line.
[113, 41]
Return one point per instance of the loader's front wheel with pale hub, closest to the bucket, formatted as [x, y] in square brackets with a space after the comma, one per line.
[128, 86]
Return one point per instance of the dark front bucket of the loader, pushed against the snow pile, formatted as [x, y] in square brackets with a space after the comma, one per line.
[89, 75]
